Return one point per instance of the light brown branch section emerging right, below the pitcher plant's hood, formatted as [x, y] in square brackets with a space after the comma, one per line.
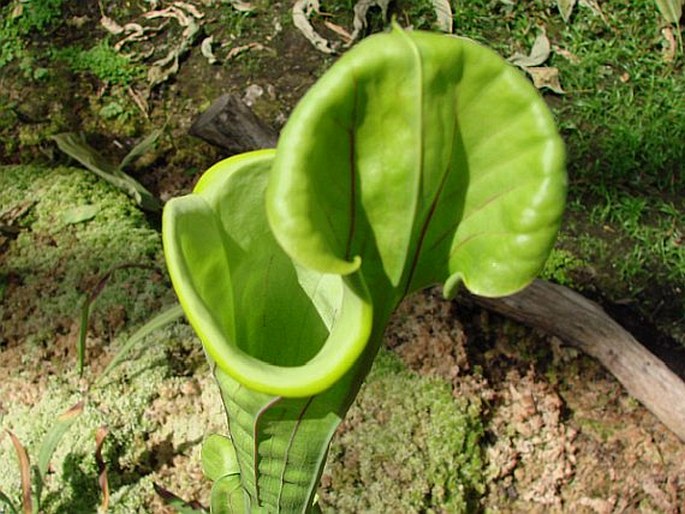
[582, 323]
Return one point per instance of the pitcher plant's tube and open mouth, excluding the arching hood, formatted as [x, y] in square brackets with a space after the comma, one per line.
[288, 345]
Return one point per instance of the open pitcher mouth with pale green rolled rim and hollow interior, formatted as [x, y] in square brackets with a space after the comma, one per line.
[242, 293]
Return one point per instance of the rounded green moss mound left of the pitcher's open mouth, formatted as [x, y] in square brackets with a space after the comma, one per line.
[54, 261]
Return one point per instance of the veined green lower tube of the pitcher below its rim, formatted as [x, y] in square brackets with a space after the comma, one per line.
[281, 443]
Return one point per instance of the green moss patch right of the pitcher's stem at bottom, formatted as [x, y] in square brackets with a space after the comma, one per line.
[406, 446]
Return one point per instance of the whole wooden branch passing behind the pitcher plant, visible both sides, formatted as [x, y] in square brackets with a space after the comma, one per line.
[557, 310]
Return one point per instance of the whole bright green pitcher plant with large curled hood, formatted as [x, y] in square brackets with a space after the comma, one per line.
[416, 159]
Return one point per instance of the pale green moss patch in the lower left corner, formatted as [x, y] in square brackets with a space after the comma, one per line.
[125, 404]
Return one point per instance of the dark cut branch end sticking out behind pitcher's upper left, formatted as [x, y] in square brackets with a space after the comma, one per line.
[230, 124]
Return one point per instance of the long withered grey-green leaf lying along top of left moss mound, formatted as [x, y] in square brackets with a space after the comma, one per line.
[75, 146]
